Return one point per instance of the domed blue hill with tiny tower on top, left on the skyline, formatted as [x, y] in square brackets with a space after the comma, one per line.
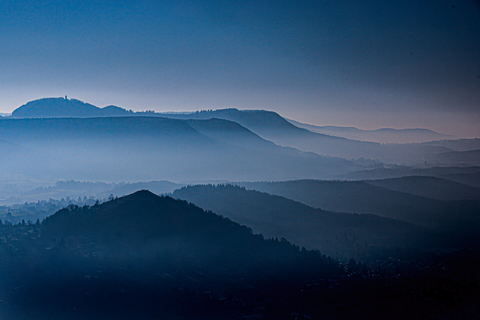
[63, 107]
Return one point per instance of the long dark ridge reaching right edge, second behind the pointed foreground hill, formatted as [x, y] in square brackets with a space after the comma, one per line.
[361, 197]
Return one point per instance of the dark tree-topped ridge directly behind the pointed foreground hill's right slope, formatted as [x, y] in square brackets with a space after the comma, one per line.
[342, 235]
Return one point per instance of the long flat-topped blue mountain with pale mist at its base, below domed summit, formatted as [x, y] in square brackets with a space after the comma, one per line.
[152, 148]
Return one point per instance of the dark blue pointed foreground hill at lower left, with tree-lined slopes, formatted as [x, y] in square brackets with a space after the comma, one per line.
[141, 256]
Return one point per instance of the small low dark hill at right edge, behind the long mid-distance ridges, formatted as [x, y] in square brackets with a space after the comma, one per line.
[430, 187]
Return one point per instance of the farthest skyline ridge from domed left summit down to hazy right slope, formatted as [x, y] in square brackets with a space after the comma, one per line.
[266, 124]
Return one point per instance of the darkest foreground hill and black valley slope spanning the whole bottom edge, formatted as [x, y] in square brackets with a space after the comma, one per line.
[149, 257]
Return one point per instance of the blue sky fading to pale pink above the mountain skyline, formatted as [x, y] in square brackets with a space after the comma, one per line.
[368, 64]
